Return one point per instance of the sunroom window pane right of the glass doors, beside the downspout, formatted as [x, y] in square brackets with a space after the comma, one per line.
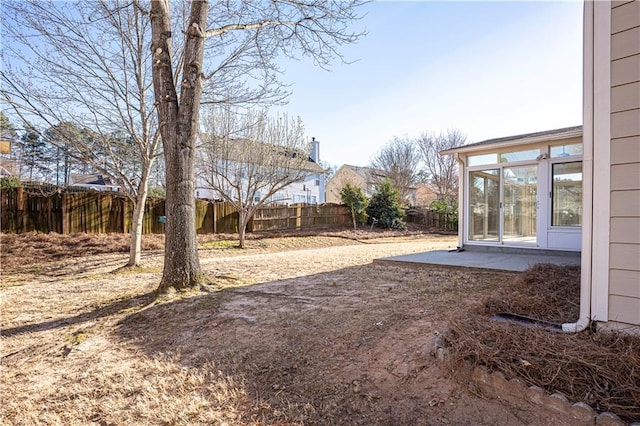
[567, 194]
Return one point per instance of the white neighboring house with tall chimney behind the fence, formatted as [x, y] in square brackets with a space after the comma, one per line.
[310, 190]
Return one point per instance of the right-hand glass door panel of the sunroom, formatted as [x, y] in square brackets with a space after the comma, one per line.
[520, 204]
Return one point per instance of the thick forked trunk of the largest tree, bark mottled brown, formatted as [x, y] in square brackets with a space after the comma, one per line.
[179, 120]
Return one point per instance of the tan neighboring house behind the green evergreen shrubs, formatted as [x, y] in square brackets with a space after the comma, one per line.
[365, 178]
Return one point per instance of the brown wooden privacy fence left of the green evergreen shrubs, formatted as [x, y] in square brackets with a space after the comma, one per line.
[104, 212]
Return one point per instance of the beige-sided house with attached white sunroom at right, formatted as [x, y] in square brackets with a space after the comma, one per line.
[577, 188]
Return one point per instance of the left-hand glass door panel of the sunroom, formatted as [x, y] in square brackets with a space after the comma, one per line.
[484, 205]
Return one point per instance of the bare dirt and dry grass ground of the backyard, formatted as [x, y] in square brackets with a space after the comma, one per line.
[294, 331]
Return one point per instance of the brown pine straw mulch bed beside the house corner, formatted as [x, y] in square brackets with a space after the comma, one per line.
[600, 368]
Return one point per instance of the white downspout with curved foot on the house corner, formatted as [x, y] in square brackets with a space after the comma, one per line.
[586, 274]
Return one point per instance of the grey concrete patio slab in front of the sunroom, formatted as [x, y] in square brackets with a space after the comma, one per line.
[495, 261]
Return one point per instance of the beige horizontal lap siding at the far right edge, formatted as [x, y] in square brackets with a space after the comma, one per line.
[624, 248]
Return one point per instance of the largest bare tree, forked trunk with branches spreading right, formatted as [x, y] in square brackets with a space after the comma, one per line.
[235, 35]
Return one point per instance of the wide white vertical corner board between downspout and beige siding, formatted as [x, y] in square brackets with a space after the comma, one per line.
[600, 144]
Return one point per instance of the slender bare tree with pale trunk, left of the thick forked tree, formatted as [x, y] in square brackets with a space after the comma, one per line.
[83, 70]
